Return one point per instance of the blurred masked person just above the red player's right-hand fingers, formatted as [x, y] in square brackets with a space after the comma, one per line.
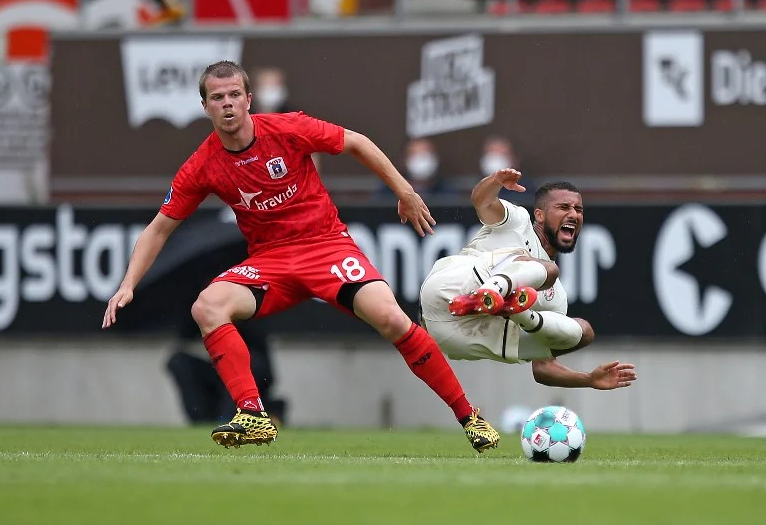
[421, 169]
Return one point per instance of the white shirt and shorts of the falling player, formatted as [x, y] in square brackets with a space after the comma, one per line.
[486, 337]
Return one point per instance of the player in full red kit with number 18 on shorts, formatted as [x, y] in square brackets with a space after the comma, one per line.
[260, 165]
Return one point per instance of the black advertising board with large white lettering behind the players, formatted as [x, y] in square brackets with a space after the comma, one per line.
[663, 271]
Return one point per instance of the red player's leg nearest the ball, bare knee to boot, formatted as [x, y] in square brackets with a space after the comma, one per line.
[374, 302]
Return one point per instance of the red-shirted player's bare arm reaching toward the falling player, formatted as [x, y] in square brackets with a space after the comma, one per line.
[411, 205]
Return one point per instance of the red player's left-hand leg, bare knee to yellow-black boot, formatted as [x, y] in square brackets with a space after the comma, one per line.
[214, 310]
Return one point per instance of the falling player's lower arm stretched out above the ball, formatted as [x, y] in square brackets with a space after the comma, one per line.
[608, 376]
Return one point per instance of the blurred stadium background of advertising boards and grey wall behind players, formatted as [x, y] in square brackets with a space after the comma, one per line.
[654, 108]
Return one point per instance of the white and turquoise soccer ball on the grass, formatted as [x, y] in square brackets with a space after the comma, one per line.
[553, 434]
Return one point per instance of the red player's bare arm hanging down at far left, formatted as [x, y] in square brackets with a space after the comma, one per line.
[148, 246]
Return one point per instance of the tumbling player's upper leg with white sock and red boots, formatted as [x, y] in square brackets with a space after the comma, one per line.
[511, 288]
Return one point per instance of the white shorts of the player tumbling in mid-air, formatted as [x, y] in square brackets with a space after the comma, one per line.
[472, 337]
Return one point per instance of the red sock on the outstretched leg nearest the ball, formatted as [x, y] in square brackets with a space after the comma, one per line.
[426, 361]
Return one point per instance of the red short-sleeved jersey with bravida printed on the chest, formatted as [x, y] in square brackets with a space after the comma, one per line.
[272, 185]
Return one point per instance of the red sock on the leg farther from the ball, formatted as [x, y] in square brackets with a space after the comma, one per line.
[231, 360]
